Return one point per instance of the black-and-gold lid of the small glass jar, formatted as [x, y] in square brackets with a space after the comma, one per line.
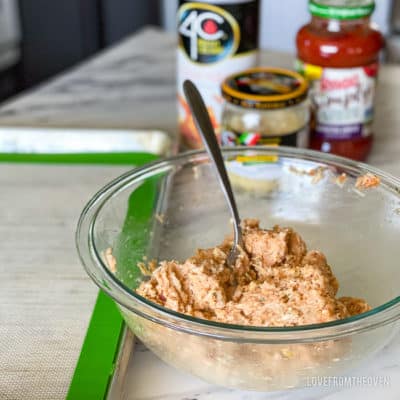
[265, 88]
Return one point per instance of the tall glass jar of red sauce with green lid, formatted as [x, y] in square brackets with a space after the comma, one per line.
[338, 52]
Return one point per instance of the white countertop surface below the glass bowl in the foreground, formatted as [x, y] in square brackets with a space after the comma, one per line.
[146, 377]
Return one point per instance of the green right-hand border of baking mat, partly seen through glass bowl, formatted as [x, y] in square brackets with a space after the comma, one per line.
[97, 361]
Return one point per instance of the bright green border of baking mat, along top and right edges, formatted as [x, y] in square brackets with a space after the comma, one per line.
[98, 357]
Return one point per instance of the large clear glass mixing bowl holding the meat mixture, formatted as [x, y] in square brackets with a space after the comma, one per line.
[166, 210]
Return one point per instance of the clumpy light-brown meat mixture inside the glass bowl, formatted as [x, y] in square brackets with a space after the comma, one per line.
[276, 281]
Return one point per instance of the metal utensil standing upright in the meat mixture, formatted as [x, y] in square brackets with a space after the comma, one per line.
[206, 130]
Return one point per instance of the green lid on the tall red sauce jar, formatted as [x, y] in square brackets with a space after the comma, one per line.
[339, 9]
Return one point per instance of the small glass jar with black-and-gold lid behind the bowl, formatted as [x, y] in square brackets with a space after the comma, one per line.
[265, 106]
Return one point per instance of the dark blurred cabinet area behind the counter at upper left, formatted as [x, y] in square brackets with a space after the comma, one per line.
[57, 34]
